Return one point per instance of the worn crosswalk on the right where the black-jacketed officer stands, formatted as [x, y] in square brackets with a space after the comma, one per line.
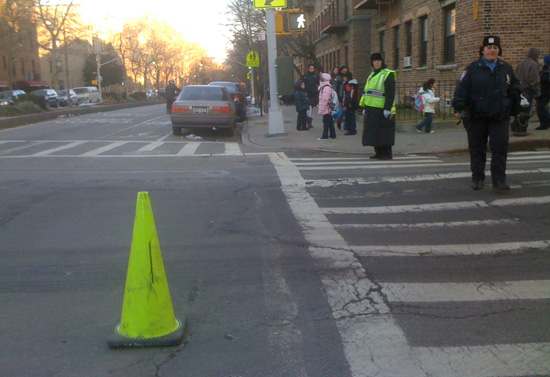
[376, 340]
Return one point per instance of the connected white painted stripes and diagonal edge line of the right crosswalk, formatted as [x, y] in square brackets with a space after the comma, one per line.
[374, 343]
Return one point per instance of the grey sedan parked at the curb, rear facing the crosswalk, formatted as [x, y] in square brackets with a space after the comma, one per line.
[203, 107]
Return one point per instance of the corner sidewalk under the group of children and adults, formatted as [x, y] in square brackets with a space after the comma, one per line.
[448, 137]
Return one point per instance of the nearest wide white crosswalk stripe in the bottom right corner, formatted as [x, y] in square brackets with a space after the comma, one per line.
[499, 360]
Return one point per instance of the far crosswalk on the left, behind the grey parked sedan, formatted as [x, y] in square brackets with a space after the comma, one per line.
[115, 149]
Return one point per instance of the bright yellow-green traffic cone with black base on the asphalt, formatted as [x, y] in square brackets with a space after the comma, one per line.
[147, 313]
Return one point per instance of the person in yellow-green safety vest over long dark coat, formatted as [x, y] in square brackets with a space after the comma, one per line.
[379, 116]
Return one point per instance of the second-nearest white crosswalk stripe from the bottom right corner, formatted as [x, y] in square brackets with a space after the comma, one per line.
[476, 291]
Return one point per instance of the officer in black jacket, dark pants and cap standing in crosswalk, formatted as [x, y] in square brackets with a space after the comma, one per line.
[486, 95]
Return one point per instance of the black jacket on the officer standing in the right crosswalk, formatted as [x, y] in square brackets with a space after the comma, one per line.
[487, 94]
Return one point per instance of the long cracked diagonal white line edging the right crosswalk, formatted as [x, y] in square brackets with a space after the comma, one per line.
[372, 341]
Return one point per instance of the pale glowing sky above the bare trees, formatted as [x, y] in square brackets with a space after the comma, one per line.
[199, 21]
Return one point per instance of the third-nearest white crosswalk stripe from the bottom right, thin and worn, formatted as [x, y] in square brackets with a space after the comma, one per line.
[447, 250]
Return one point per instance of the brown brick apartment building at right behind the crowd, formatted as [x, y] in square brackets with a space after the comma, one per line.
[421, 39]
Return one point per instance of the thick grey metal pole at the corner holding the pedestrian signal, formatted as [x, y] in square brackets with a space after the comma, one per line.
[276, 123]
